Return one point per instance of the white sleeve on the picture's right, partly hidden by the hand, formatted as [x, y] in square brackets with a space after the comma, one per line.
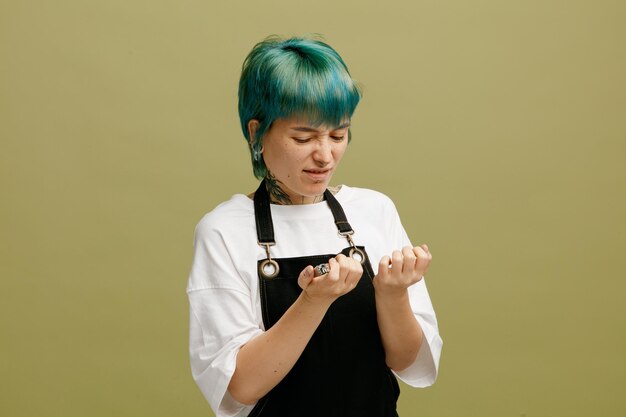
[423, 371]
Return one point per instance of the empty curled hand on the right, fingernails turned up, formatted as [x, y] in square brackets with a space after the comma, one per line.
[402, 270]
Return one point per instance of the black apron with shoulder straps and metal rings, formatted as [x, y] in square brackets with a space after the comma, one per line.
[342, 371]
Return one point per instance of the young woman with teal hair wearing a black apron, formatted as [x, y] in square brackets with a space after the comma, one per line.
[306, 300]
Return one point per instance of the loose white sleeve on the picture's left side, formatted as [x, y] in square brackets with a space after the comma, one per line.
[221, 320]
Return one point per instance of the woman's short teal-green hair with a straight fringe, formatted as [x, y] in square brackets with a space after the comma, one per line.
[299, 76]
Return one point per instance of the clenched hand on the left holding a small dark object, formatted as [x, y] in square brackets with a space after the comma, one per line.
[343, 276]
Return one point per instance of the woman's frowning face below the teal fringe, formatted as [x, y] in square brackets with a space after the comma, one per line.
[303, 158]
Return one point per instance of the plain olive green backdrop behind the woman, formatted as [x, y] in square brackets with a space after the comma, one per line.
[497, 127]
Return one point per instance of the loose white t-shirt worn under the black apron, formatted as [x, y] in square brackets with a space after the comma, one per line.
[225, 307]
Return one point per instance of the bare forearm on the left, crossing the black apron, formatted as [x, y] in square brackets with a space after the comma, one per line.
[266, 359]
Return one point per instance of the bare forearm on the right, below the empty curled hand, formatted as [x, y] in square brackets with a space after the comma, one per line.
[401, 333]
